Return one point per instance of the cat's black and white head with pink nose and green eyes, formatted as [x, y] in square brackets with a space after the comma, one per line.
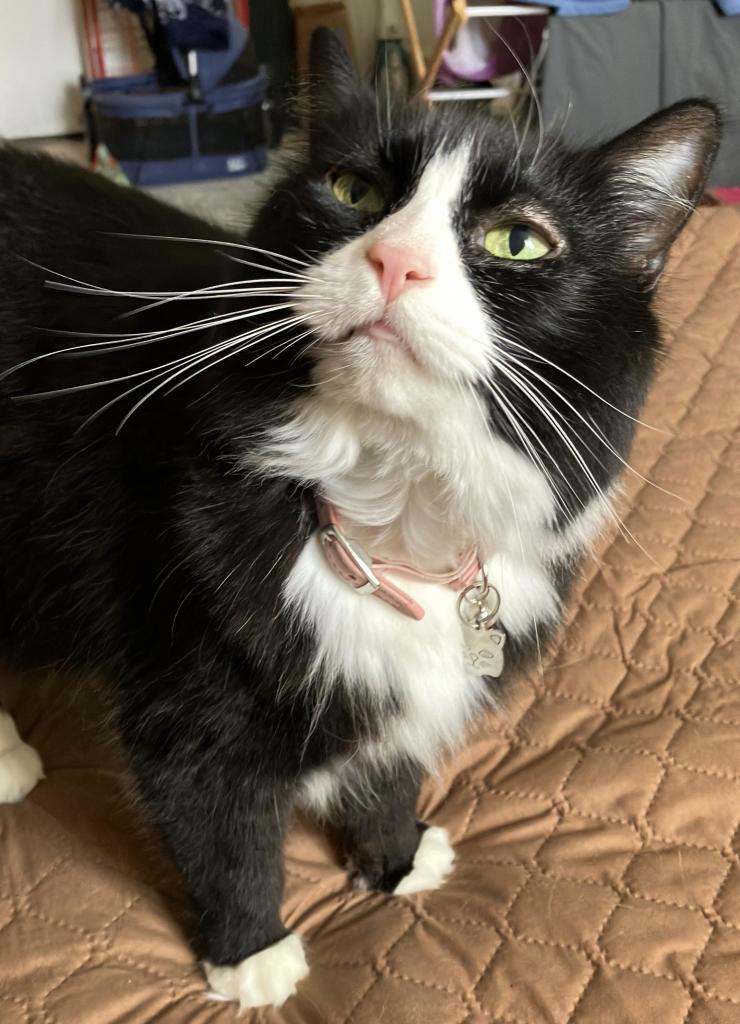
[449, 257]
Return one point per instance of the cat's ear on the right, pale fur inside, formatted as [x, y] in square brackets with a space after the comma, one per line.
[656, 176]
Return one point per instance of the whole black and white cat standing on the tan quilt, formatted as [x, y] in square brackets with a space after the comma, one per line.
[434, 340]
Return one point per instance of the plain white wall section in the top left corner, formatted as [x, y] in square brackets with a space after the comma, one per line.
[40, 66]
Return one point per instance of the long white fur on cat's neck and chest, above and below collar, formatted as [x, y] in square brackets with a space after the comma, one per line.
[401, 505]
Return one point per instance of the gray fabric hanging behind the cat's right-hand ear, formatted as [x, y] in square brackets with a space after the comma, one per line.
[604, 73]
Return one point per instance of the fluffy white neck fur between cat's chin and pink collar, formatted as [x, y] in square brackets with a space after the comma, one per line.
[417, 493]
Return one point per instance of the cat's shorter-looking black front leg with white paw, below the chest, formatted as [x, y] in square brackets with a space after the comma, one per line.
[387, 848]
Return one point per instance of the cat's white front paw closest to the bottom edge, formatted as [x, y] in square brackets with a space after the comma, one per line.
[265, 979]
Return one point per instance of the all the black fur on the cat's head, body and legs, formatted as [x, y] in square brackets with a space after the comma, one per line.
[151, 556]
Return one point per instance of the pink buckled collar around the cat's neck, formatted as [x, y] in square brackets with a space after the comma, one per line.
[368, 575]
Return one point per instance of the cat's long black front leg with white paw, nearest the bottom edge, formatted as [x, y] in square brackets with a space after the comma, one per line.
[216, 788]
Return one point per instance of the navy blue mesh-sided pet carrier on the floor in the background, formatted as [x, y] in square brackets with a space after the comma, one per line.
[199, 115]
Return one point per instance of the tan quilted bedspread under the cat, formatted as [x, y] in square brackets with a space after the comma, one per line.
[596, 820]
